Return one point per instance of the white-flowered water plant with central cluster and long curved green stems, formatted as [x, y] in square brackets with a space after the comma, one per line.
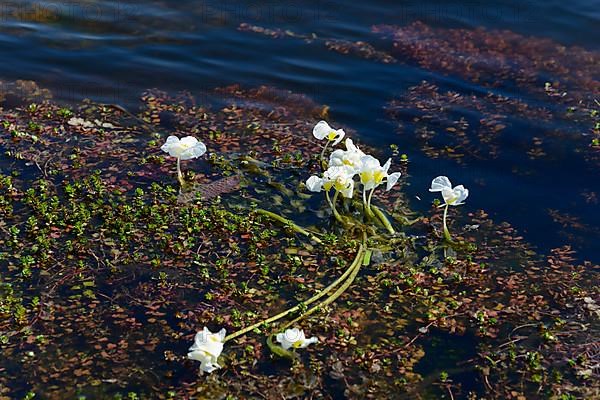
[339, 175]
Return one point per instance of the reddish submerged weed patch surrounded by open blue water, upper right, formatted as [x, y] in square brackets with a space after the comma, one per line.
[474, 124]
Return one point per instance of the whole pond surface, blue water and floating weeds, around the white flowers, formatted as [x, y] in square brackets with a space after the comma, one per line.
[502, 98]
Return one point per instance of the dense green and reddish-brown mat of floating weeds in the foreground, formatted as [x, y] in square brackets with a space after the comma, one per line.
[107, 275]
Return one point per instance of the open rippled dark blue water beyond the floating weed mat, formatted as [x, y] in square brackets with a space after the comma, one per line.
[110, 51]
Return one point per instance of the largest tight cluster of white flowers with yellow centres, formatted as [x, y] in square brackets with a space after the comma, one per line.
[344, 165]
